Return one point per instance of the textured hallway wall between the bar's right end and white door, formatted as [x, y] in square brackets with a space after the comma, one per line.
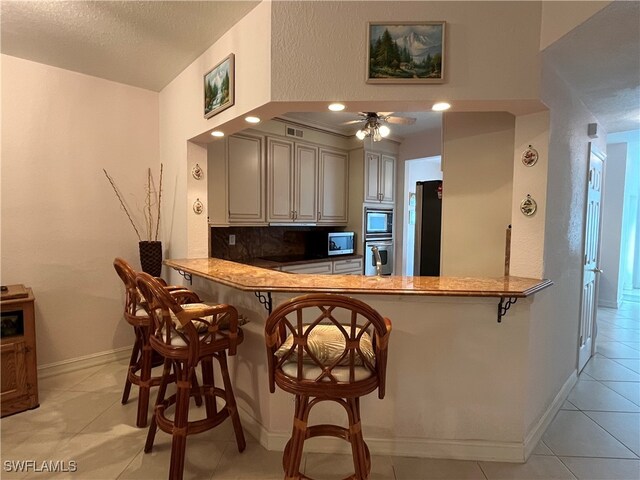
[553, 332]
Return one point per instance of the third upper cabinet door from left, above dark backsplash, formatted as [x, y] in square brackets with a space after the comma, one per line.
[305, 186]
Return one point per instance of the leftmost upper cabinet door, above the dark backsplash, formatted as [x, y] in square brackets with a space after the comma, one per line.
[245, 180]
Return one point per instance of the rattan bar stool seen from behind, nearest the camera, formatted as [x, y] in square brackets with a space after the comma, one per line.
[327, 348]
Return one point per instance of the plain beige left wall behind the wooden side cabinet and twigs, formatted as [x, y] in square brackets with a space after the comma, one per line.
[61, 223]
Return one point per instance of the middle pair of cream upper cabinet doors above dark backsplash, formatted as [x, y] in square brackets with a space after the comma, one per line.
[292, 182]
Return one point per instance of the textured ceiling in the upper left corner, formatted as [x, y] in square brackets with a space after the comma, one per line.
[145, 44]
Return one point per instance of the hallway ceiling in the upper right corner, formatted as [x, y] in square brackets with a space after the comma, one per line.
[600, 59]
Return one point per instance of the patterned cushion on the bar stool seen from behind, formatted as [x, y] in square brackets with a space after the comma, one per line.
[327, 344]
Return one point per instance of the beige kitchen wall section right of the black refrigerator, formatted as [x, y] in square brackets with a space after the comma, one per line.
[477, 174]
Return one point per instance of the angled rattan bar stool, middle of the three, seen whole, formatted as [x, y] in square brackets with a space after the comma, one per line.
[188, 335]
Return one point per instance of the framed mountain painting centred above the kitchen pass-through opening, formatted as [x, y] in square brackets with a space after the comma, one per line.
[405, 52]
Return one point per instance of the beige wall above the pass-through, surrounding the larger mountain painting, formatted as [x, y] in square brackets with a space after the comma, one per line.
[319, 51]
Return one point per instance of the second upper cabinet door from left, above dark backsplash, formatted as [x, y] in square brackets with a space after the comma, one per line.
[280, 180]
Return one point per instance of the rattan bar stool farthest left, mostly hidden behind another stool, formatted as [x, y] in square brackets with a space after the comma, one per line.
[142, 357]
